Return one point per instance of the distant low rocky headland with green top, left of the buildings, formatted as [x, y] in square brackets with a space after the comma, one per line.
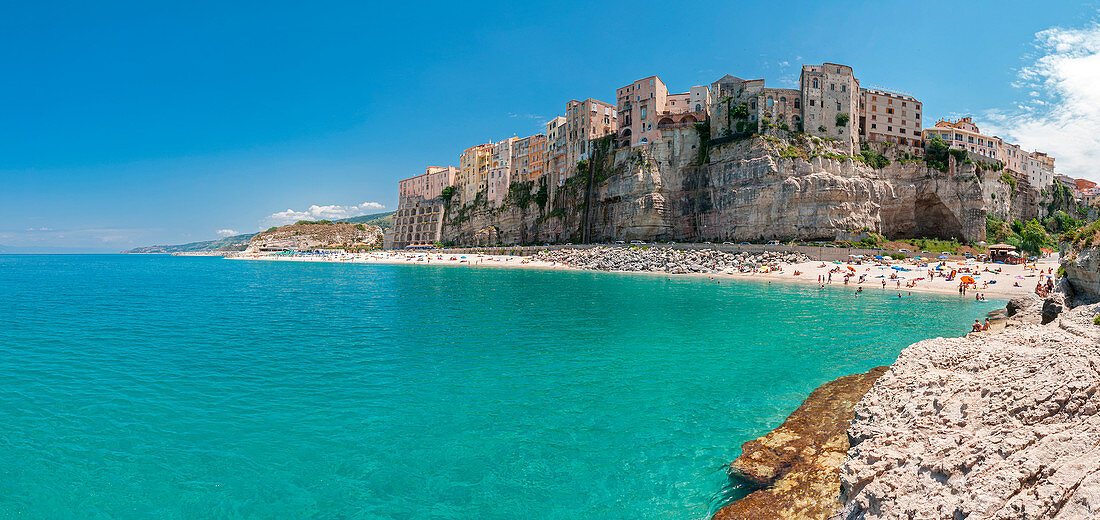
[310, 236]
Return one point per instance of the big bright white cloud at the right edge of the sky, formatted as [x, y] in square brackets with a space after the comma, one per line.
[1062, 114]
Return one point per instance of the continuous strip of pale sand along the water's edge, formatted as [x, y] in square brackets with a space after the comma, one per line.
[809, 272]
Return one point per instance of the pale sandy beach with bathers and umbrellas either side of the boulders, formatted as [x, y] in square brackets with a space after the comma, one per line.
[992, 281]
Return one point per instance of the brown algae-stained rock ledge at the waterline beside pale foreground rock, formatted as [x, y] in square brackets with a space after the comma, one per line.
[796, 466]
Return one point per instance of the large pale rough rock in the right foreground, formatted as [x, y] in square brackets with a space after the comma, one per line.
[992, 426]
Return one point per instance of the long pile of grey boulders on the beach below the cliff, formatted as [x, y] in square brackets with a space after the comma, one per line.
[667, 260]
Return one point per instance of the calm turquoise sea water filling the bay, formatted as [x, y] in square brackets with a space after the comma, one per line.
[193, 389]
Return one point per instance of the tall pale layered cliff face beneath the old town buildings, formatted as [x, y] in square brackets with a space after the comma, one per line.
[765, 187]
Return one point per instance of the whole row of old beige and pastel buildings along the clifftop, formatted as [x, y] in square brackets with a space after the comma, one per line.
[830, 103]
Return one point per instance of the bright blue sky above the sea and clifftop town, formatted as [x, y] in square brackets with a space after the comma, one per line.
[129, 124]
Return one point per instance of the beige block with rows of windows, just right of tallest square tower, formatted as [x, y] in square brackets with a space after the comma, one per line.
[894, 118]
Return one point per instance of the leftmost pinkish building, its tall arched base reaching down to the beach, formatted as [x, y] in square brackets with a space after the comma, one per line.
[420, 216]
